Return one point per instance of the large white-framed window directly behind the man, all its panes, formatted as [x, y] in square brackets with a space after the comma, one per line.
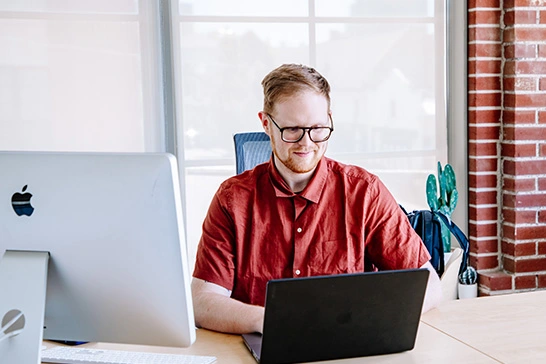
[385, 61]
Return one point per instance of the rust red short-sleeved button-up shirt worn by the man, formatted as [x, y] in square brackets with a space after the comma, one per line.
[257, 229]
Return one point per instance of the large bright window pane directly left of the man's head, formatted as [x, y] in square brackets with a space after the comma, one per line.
[222, 69]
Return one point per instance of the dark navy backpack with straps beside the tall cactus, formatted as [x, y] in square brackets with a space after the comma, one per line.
[426, 224]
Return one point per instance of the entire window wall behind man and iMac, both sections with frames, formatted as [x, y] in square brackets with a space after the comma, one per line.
[184, 75]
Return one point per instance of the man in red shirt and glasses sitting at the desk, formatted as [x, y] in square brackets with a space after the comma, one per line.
[301, 214]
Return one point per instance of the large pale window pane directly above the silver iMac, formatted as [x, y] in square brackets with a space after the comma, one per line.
[71, 86]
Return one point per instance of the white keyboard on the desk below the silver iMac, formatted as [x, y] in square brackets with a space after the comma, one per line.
[75, 355]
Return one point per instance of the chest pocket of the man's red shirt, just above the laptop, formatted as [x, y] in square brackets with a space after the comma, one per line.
[333, 257]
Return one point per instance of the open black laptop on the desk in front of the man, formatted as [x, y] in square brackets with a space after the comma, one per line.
[339, 316]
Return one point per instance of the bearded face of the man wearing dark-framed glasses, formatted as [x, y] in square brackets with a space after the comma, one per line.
[305, 109]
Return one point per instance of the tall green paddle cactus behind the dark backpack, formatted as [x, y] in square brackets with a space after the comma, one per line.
[446, 200]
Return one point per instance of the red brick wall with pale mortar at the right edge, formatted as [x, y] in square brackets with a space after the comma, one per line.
[507, 143]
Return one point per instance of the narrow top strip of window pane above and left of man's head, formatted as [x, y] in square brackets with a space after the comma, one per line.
[244, 7]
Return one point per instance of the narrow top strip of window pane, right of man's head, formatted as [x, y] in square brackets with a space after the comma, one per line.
[375, 8]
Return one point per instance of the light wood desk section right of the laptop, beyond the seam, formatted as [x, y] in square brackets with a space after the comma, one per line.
[510, 328]
